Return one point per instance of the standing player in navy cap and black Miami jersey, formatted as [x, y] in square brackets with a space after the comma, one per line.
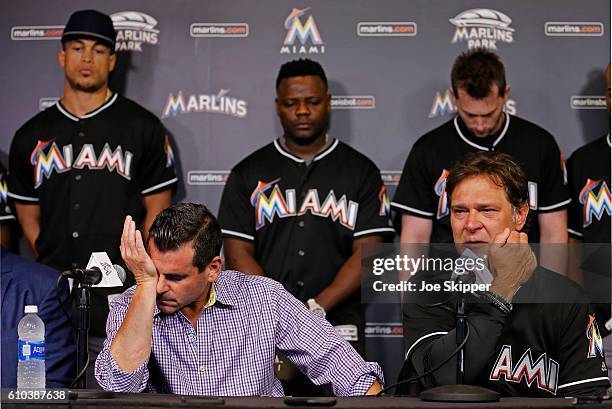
[79, 167]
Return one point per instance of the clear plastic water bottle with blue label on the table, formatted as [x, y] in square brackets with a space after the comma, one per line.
[31, 354]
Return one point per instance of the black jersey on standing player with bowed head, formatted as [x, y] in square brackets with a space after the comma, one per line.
[422, 188]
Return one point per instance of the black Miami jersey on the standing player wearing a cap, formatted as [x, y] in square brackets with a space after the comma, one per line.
[87, 174]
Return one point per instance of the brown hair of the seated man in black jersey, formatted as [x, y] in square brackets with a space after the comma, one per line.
[499, 167]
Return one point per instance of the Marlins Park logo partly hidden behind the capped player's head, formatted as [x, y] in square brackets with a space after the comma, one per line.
[134, 29]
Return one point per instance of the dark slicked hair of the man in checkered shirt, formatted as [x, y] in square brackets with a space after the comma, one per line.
[185, 222]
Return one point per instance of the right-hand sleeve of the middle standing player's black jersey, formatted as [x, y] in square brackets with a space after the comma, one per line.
[373, 214]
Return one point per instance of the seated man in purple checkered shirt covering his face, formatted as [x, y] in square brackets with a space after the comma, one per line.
[189, 328]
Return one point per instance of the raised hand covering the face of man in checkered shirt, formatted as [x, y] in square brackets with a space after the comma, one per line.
[135, 256]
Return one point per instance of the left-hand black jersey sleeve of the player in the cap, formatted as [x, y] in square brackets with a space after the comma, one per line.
[21, 180]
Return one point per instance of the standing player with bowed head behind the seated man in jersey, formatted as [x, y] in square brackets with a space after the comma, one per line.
[480, 92]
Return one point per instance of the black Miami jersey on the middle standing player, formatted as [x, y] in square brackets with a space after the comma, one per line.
[303, 218]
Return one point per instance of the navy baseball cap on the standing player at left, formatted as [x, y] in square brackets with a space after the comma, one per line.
[90, 24]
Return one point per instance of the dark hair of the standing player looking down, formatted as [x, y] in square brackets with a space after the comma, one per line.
[476, 71]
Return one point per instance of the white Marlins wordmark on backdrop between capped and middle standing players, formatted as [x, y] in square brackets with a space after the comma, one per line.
[221, 103]
